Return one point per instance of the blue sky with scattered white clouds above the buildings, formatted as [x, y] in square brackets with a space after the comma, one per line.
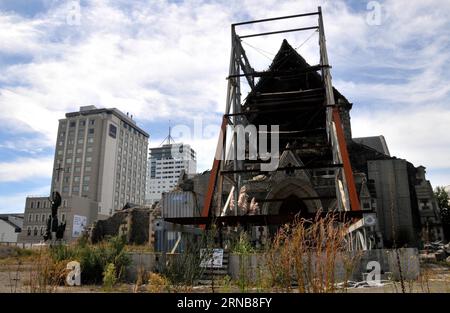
[167, 60]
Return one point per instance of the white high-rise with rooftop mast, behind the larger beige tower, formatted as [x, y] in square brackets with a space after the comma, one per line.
[165, 166]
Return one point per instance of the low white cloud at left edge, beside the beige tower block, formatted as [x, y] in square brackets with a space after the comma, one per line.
[25, 169]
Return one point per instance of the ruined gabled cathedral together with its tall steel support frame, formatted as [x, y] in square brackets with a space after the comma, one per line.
[320, 168]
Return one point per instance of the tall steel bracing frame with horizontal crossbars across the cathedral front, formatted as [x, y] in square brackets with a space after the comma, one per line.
[346, 195]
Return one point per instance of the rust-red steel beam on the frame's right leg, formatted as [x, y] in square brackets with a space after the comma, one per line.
[354, 200]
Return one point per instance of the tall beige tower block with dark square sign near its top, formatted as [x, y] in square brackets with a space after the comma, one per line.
[101, 154]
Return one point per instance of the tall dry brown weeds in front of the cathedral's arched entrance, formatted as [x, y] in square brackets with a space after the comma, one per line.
[305, 253]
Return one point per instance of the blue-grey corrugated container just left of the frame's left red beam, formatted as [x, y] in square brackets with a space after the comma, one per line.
[179, 204]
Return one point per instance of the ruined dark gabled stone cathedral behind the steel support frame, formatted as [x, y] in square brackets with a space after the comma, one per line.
[395, 201]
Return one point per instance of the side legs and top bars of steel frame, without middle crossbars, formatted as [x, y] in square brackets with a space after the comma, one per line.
[240, 67]
